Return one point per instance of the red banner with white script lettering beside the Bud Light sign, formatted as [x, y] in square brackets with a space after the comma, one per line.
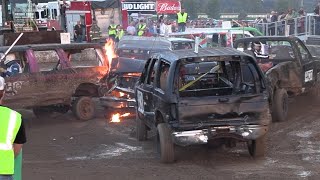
[168, 6]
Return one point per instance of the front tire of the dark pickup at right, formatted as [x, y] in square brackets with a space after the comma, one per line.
[280, 105]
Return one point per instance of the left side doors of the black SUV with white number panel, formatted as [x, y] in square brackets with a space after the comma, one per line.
[144, 92]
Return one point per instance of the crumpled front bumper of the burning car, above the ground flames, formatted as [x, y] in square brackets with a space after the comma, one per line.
[117, 103]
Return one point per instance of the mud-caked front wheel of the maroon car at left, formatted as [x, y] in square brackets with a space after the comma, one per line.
[84, 108]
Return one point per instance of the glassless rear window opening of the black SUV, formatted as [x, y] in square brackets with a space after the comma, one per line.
[216, 77]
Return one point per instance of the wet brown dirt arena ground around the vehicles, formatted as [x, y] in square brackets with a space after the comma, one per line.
[62, 148]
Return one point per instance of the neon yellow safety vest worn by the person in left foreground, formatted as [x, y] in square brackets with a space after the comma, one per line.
[9, 126]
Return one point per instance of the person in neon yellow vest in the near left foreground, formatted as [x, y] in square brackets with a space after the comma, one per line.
[12, 136]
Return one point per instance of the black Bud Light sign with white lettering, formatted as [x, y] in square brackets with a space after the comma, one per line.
[138, 6]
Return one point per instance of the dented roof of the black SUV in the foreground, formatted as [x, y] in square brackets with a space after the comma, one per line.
[203, 52]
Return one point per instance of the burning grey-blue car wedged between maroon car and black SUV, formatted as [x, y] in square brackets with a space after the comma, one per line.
[132, 53]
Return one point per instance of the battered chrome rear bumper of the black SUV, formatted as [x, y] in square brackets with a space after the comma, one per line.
[246, 132]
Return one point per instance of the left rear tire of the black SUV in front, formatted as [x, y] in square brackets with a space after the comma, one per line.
[166, 143]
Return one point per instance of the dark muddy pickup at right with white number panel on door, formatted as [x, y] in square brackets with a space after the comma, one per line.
[289, 67]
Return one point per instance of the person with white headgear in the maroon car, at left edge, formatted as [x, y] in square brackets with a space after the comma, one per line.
[11, 66]
